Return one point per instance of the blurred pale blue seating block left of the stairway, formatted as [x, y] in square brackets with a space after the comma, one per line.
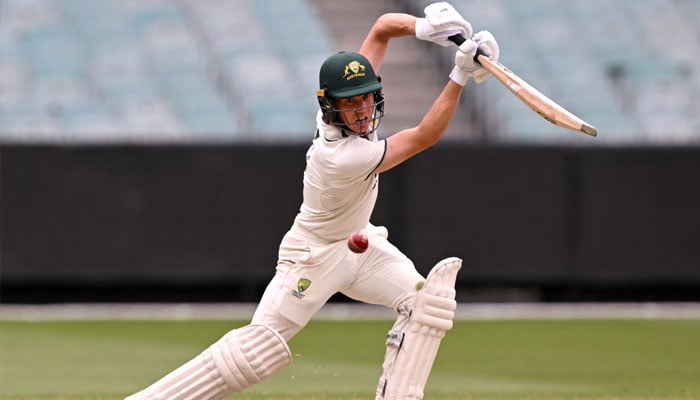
[156, 70]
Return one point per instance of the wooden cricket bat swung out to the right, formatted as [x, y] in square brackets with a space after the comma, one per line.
[533, 98]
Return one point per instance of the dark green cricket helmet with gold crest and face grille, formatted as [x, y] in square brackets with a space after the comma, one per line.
[348, 74]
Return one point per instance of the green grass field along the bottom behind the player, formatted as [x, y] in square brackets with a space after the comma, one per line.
[602, 359]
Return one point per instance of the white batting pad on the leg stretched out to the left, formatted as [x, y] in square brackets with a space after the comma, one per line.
[240, 359]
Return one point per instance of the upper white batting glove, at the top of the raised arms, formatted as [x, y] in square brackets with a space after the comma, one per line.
[441, 21]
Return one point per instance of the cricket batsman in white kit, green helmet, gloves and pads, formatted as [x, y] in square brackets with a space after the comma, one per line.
[340, 186]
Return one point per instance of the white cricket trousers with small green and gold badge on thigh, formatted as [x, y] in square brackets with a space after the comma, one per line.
[308, 274]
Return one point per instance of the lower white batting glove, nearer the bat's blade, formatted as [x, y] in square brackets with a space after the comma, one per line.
[465, 66]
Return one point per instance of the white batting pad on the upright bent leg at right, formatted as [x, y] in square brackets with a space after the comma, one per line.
[431, 317]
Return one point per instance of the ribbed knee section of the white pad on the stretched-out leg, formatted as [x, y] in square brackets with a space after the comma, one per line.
[248, 355]
